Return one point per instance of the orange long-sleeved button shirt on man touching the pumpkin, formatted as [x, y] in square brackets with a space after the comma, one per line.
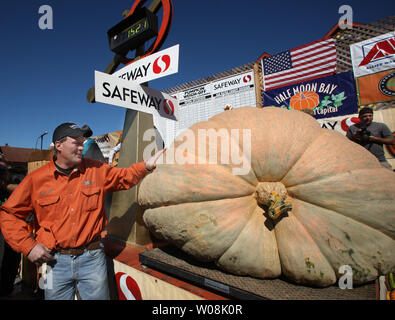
[69, 209]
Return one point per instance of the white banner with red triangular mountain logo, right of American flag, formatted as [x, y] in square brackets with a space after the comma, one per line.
[373, 55]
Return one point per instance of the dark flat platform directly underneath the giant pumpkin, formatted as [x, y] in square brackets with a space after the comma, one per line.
[172, 261]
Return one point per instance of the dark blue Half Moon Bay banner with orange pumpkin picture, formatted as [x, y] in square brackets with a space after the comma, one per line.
[330, 96]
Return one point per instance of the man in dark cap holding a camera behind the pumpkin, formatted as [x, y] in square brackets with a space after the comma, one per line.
[371, 135]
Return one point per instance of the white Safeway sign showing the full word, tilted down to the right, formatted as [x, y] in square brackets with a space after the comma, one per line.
[116, 91]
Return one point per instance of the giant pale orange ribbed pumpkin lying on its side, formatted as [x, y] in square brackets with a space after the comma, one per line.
[337, 204]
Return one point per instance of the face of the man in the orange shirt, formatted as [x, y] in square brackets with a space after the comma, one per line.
[70, 150]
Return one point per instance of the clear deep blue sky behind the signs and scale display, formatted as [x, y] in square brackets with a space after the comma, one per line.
[45, 74]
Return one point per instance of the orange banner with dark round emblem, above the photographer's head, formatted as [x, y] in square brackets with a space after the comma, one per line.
[376, 87]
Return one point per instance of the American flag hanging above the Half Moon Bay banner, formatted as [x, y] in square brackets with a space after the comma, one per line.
[314, 60]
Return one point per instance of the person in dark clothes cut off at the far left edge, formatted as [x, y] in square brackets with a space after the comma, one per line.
[9, 259]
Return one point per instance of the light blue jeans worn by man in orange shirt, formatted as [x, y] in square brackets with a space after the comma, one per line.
[87, 272]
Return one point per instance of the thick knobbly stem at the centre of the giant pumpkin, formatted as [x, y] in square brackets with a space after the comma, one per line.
[273, 195]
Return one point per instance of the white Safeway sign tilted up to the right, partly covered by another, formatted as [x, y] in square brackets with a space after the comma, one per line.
[157, 65]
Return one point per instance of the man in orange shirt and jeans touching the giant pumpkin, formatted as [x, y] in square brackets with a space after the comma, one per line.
[67, 196]
